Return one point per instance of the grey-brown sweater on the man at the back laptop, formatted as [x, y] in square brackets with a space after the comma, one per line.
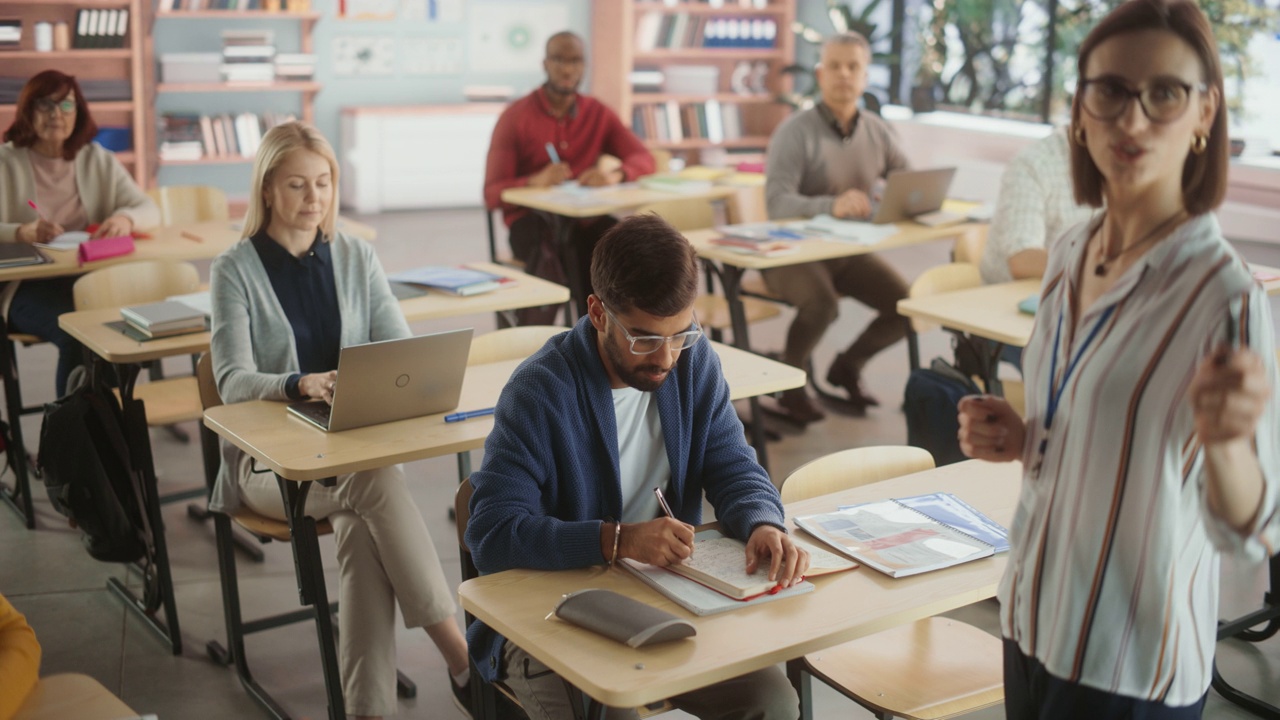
[808, 165]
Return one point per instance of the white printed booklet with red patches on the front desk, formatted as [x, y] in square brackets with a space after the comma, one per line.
[895, 539]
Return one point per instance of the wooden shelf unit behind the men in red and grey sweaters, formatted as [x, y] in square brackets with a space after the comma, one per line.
[614, 28]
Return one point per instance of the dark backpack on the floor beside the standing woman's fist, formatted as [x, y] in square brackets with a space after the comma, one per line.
[931, 400]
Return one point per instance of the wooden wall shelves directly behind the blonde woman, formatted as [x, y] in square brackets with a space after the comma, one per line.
[305, 90]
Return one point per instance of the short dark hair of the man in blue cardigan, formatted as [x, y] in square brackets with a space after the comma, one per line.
[646, 265]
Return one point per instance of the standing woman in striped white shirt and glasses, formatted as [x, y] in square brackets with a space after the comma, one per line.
[1151, 436]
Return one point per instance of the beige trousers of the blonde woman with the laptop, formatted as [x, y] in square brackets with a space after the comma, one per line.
[385, 554]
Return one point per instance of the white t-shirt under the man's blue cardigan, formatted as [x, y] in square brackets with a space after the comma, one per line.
[643, 463]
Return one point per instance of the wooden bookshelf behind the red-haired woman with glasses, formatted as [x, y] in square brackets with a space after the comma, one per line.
[126, 67]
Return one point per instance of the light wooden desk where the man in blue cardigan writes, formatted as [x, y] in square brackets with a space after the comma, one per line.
[843, 608]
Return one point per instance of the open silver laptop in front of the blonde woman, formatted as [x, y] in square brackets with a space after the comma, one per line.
[381, 382]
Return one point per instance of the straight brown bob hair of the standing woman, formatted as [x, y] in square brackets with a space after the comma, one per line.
[1205, 175]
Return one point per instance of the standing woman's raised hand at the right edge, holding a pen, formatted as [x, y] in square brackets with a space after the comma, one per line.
[1228, 395]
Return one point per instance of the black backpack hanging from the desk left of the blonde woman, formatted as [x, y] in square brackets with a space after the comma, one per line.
[89, 471]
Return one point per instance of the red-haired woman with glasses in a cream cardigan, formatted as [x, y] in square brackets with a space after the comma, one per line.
[56, 179]
